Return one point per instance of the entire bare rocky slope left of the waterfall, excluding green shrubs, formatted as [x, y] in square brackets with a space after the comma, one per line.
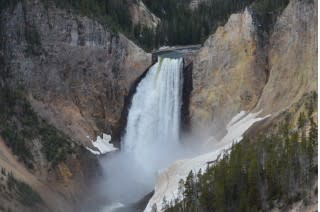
[75, 73]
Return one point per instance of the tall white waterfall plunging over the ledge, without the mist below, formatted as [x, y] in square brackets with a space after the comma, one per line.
[154, 116]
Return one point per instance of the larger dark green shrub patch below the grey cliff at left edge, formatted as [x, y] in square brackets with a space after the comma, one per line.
[19, 124]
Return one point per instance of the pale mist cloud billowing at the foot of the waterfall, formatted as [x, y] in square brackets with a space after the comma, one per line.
[128, 178]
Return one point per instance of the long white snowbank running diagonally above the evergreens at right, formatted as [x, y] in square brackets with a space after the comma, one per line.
[168, 180]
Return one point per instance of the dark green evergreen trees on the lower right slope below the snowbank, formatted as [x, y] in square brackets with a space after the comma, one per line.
[256, 174]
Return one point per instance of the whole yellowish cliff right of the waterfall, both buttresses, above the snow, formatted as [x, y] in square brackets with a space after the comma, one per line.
[238, 69]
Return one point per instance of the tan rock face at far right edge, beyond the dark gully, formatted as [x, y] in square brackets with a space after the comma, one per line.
[292, 57]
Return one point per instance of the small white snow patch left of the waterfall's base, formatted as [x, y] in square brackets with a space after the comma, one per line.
[102, 144]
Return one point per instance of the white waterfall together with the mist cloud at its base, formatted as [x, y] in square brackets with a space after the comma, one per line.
[151, 139]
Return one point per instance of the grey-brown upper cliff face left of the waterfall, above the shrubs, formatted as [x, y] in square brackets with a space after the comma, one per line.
[76, 72]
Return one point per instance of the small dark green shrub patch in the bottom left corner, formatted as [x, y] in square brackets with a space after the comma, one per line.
[26, 195]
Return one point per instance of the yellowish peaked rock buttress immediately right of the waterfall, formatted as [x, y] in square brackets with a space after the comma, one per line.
[229, 74]
